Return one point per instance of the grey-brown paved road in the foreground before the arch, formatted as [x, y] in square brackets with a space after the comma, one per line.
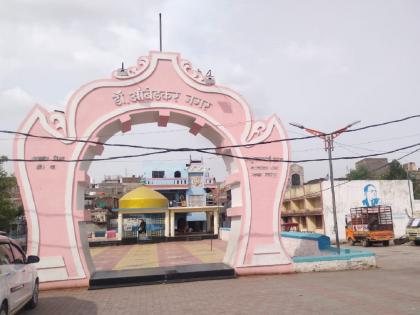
[393, 288]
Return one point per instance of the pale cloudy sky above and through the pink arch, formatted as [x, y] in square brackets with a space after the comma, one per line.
[322, 64]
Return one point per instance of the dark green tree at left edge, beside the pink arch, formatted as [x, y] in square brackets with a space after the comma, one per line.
[8, 212]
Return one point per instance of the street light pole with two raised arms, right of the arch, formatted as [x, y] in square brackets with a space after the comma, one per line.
[329, 147]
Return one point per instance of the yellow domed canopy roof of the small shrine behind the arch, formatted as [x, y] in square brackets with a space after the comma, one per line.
[143, 198]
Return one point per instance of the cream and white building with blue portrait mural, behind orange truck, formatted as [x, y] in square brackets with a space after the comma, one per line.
[311, 207]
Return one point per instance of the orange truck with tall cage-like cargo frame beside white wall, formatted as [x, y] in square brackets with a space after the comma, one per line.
[368, 225]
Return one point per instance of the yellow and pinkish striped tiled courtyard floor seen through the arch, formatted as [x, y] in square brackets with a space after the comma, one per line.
[157, 255]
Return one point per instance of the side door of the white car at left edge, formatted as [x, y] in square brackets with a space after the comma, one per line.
[12, 278]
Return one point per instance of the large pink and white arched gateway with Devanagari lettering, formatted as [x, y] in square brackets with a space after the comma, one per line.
[161, 88]
